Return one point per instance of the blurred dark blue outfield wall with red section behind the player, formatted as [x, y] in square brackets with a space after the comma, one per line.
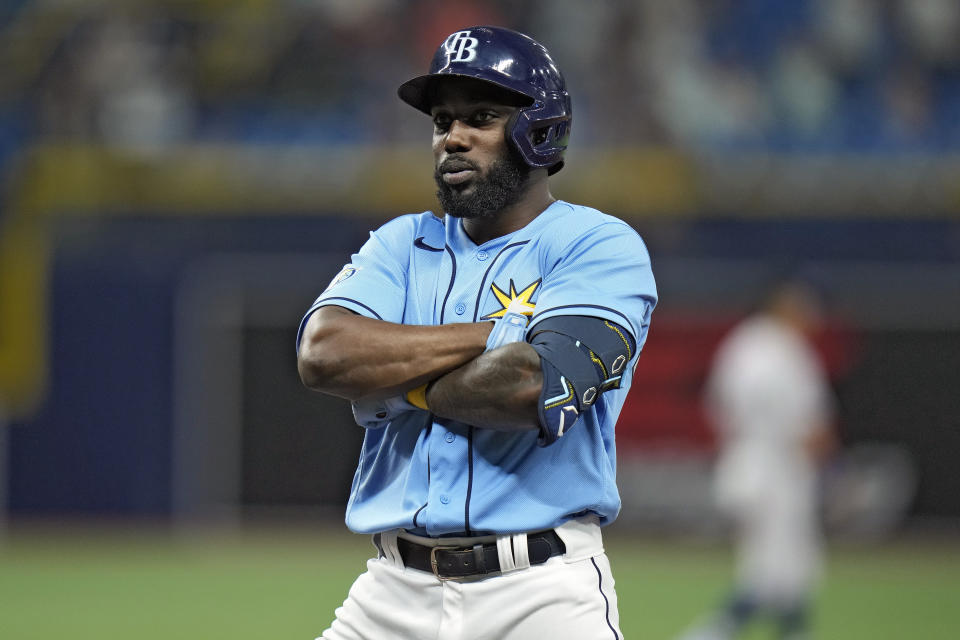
[172, 386]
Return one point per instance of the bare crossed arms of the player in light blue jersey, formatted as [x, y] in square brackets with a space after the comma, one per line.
[351, 356]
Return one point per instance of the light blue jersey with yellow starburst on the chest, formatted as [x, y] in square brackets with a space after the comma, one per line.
[435, 476]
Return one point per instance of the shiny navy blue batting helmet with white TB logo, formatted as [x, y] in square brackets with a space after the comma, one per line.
[540, 131]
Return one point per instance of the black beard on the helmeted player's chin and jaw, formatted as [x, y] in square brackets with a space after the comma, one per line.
[504, 185]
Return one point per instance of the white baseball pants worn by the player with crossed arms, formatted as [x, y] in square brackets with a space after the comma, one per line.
[569, 596]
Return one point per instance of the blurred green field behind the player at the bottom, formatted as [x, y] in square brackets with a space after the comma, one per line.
[107, 584]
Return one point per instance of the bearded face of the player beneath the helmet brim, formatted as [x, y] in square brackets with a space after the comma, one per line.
[477, 173]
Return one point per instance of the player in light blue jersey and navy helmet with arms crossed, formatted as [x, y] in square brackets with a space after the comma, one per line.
[487, 354]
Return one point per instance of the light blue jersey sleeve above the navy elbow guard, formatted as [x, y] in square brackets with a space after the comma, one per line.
[605, 273]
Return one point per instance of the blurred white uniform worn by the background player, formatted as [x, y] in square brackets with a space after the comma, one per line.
[767, 393]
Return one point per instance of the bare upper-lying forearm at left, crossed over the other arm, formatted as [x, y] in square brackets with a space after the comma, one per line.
[351, 356]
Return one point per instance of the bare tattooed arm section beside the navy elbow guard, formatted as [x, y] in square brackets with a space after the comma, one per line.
[498, 390]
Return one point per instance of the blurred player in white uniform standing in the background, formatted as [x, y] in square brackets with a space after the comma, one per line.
[769, 399]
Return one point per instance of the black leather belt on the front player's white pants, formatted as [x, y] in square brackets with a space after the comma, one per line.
[457, 562]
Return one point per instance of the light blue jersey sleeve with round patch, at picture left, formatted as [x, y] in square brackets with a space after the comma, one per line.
[374, 282]
